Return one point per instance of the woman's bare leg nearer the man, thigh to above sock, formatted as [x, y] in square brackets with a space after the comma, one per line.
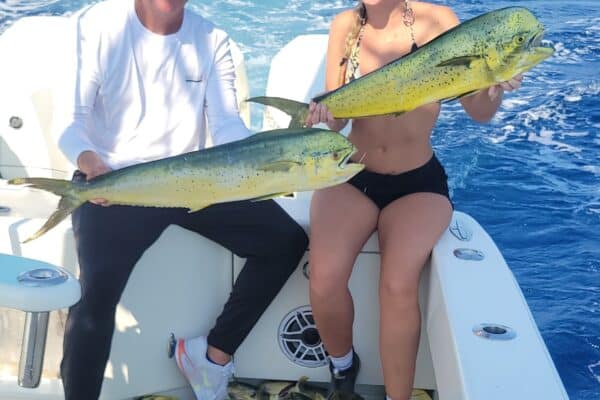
[341, 220]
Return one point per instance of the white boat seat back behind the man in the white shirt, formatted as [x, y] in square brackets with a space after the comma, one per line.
[33, 86]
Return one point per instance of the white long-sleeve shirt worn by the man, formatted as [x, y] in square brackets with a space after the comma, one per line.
[140, 96]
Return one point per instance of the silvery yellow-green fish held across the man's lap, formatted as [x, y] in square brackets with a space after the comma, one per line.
[265, 165]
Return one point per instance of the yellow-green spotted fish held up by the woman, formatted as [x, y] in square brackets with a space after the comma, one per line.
[474, 55]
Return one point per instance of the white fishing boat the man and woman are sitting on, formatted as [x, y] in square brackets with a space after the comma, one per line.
[478, 337]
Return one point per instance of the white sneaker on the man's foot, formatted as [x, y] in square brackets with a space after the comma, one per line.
[208, 380]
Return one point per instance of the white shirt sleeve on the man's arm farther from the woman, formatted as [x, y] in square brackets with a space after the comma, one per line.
[73, 111]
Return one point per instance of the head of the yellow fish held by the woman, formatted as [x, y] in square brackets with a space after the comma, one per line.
[514, 42]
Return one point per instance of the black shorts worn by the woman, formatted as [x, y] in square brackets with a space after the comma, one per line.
[382, 189]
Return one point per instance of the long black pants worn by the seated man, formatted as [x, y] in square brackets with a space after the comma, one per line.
[110, 240]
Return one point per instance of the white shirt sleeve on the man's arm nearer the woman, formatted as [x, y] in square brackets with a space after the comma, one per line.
[224, 121]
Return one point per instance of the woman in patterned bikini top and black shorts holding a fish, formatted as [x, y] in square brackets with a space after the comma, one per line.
[402, 193]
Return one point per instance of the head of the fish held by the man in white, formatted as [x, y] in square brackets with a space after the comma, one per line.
[329, 153]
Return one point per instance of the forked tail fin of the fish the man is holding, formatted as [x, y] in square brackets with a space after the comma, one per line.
[69, 201]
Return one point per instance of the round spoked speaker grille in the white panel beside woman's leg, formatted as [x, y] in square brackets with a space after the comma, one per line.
[299, 339]
